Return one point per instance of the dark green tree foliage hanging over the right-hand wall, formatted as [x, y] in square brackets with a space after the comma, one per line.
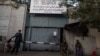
[87, 10]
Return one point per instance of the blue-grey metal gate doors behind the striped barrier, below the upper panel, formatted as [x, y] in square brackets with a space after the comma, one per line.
[44, 35]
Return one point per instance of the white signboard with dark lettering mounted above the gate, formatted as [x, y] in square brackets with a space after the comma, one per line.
[47, 6]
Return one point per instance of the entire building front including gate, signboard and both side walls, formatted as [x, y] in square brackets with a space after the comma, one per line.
[43, 28]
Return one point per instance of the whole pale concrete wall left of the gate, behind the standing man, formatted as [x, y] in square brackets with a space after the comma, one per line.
[11, 20]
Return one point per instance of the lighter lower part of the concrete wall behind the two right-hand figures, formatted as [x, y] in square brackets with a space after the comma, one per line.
[89, 43]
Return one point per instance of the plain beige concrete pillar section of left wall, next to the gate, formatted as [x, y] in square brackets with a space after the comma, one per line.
[17, 20]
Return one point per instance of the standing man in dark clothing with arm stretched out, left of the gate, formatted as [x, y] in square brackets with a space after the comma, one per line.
[18, 40]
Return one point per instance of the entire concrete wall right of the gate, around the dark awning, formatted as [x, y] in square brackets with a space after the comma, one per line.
[89, 43]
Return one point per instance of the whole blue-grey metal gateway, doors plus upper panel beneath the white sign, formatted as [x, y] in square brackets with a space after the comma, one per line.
[40, 28]
